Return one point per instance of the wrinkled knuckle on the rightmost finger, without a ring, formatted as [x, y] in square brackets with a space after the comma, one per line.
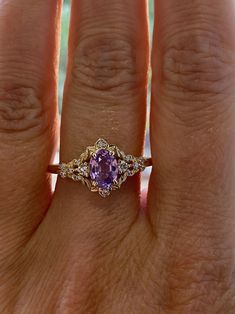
[197, 63]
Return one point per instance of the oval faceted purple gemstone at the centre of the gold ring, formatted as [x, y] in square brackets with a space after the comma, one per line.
[103, 169]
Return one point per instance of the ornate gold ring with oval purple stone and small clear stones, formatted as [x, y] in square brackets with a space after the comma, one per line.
[102, 167]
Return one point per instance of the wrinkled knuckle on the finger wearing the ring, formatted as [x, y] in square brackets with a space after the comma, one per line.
[105, 64]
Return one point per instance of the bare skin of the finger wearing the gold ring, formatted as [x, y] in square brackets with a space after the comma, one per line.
[106, 86]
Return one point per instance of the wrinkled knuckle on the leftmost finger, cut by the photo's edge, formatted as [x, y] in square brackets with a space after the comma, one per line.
[21, 111]
